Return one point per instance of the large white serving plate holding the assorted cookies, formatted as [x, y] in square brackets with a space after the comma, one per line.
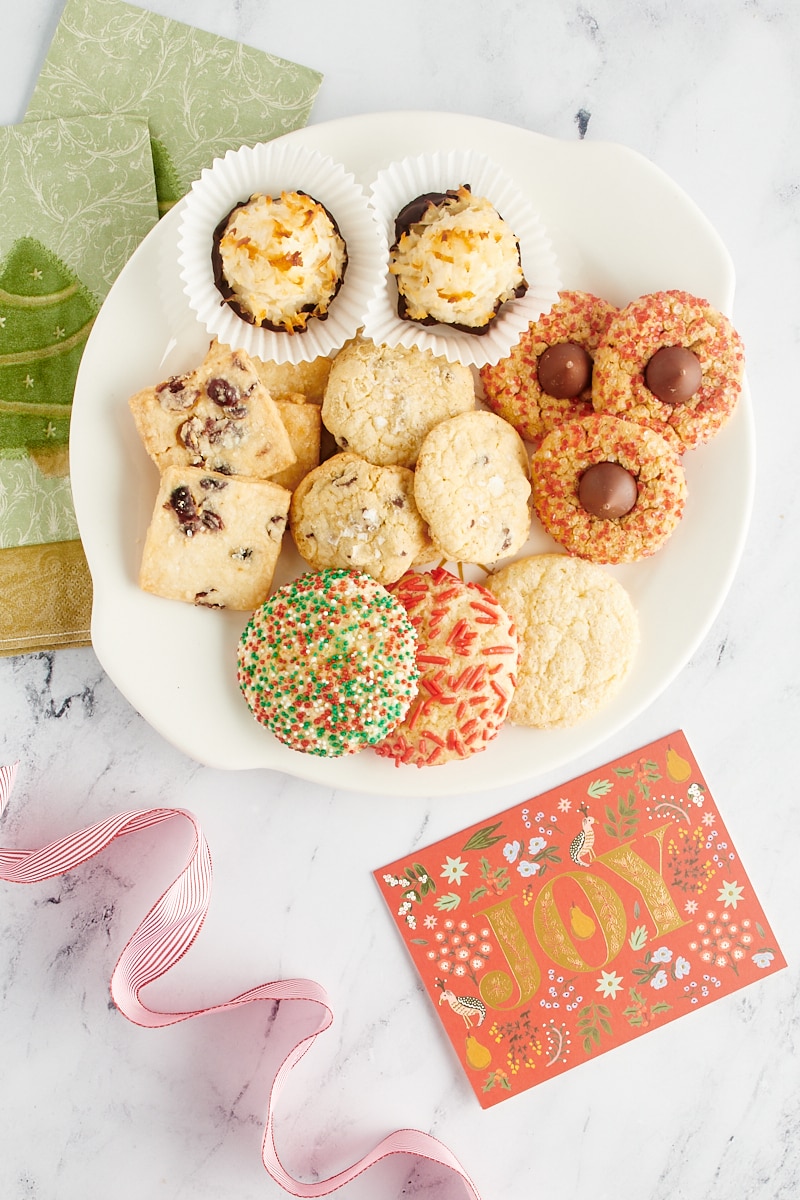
[621, 229]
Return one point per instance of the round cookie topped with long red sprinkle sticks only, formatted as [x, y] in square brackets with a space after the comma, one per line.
[467, 657]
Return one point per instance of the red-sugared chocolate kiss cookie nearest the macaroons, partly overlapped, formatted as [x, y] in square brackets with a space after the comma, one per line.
[546, 379]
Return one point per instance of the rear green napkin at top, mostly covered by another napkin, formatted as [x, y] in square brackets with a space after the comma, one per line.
[202, 94]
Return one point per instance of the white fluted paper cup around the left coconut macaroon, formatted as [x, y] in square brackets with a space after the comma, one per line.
[273, 167]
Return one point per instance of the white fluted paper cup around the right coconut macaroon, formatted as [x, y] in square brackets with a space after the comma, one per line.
[407, 179]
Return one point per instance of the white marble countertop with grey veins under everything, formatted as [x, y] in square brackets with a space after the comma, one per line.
[705, 1109]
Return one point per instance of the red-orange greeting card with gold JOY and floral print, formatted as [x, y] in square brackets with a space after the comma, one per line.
[581, 920]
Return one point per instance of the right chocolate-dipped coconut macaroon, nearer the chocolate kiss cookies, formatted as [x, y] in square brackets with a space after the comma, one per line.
[455, 261]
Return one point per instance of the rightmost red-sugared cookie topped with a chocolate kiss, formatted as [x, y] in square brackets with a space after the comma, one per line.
[673, 362]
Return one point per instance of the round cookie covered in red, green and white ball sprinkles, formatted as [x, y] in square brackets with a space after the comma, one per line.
[329, 663]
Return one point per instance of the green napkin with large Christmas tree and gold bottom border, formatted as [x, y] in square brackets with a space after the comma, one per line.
[77, 196]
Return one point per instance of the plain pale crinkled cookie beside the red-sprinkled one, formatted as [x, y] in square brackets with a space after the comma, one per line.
[579, 637]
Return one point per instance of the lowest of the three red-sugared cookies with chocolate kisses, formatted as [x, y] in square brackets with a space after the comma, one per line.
[609, 490]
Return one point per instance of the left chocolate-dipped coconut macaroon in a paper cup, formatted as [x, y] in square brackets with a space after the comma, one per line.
[279, 261]
